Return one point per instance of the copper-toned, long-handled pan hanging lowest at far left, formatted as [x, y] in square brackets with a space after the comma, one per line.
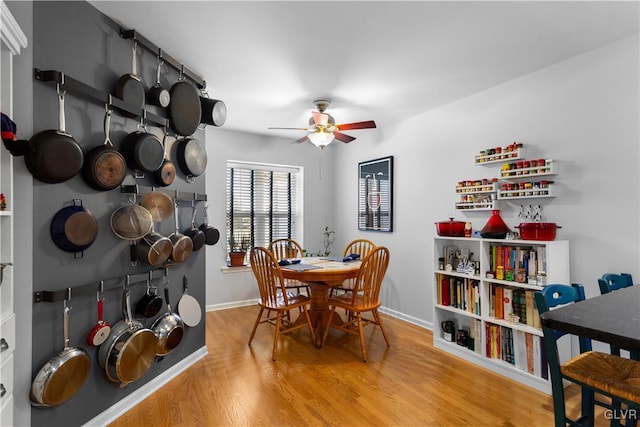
[63, 375]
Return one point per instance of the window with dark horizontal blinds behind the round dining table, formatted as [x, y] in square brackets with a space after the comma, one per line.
[264, 202]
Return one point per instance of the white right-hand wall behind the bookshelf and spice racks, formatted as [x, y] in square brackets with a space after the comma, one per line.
[583, 112]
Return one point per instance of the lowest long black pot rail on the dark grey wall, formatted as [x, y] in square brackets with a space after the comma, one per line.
[93, 287]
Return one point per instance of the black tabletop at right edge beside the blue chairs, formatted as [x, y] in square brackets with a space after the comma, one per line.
[613, 318]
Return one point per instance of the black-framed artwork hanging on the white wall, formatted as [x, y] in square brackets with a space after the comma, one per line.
[375, 194]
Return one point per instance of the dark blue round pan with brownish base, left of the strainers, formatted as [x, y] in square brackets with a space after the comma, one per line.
[74, 228]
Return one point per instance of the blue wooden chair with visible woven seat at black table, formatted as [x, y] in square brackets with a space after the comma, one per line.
[594, 372]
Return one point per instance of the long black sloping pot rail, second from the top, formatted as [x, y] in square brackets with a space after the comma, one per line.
[68, 83]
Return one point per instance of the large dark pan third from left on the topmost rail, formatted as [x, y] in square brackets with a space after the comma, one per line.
[184, 110]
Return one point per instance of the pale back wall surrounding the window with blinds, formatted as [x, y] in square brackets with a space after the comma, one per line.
[222, 145]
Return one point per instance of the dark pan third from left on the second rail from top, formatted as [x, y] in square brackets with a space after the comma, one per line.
[143, 150]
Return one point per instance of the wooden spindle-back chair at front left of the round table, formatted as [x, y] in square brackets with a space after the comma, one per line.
[274, 298]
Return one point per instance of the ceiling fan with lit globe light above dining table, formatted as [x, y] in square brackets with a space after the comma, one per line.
[323, 128]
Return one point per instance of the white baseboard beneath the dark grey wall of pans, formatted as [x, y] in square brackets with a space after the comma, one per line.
[121, 407]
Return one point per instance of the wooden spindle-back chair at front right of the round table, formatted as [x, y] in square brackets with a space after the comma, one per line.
[365, 298]
